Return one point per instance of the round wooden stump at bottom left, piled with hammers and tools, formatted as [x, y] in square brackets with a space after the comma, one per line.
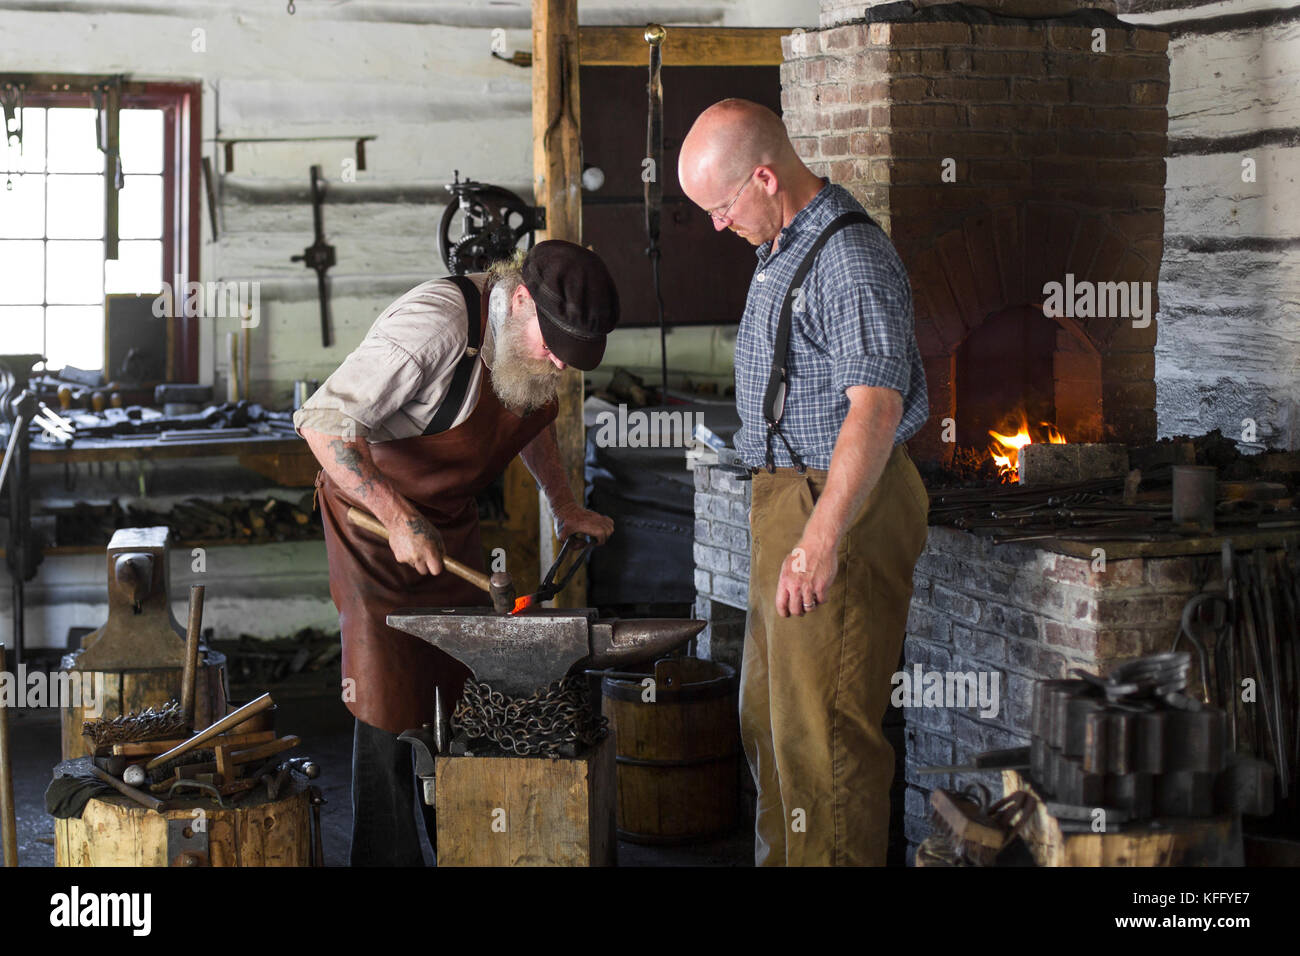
[257, 832]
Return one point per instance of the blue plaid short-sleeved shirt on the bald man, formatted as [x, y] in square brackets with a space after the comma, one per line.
[855, 328]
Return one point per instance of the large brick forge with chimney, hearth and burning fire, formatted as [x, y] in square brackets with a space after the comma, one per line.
[1022, 263]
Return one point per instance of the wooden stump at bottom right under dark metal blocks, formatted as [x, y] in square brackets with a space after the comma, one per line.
[1182, 842]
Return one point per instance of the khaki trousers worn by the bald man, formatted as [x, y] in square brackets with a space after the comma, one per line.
[814, 689]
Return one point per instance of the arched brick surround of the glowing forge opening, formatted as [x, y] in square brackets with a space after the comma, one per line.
[1002, 257]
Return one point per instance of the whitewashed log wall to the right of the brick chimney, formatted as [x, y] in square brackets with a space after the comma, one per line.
[1229, 335]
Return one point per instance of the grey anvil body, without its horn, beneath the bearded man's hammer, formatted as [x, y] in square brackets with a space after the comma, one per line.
[514, 655]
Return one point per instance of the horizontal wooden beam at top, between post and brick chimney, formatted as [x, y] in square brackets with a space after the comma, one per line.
[684, 46]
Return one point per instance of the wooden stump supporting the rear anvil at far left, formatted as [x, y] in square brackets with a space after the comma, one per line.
[135, 690]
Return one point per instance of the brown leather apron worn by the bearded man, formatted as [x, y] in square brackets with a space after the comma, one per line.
[440, 475]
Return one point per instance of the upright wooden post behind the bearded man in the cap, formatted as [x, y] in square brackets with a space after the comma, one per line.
[558, 188]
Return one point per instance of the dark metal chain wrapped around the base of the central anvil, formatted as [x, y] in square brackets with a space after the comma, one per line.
[543, 724]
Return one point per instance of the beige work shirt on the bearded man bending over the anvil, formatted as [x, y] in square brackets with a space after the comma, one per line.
[395, 382]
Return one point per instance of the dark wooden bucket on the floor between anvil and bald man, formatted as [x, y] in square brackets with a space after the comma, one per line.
[679, 756]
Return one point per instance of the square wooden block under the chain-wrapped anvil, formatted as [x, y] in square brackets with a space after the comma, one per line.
[527, 811]
